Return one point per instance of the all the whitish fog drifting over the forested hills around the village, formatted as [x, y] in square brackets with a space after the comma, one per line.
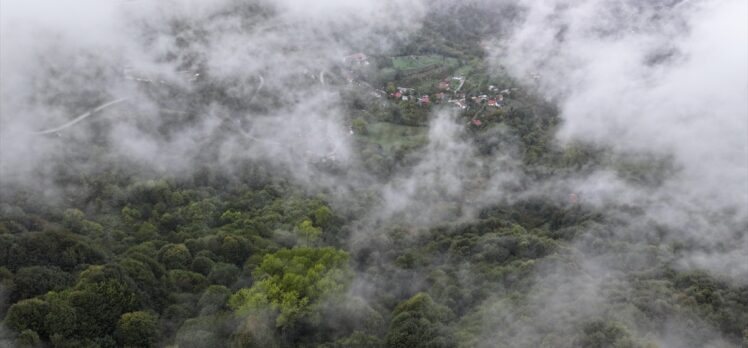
[184, 85]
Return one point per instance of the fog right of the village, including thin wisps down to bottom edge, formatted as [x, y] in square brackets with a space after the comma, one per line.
[669, 80]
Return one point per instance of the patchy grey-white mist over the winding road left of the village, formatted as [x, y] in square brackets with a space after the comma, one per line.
[236, 80]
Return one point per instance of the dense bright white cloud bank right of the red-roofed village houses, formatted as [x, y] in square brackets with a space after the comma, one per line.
[666, 78]
